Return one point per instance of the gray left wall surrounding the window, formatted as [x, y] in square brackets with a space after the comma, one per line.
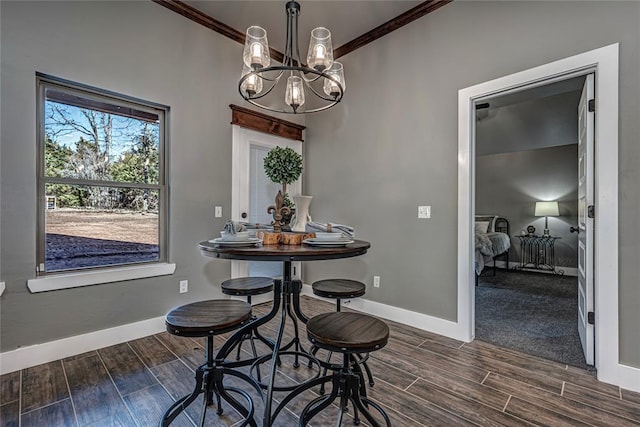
[143, 50]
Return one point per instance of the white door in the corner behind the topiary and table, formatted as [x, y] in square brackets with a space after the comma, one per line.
[253, 192]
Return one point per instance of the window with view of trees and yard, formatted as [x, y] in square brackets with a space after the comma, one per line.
[102, 199]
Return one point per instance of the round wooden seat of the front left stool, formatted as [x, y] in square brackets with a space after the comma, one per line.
[204, 318]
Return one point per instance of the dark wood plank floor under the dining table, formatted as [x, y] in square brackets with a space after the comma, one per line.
[422, 379]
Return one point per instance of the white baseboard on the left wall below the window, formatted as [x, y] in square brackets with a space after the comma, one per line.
[33, 355]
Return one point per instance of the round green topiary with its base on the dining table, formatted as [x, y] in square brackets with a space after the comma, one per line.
[283, 166]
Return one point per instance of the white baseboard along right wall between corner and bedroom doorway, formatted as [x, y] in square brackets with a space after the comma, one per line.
[400, 315]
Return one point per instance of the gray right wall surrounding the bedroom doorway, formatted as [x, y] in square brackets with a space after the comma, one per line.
[392, 144]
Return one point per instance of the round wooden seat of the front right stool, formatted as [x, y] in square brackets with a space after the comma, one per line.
[347, 332]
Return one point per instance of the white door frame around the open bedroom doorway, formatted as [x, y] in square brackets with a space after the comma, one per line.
[604, 62]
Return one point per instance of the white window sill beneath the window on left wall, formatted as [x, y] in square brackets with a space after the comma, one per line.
[87, 278]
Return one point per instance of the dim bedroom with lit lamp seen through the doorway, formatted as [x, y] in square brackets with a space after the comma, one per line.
[526, 151]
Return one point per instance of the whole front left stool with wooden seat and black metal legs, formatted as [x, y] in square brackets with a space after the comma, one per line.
[208, 319]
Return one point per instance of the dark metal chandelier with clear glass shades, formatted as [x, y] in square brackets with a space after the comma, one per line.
[321, 77]
